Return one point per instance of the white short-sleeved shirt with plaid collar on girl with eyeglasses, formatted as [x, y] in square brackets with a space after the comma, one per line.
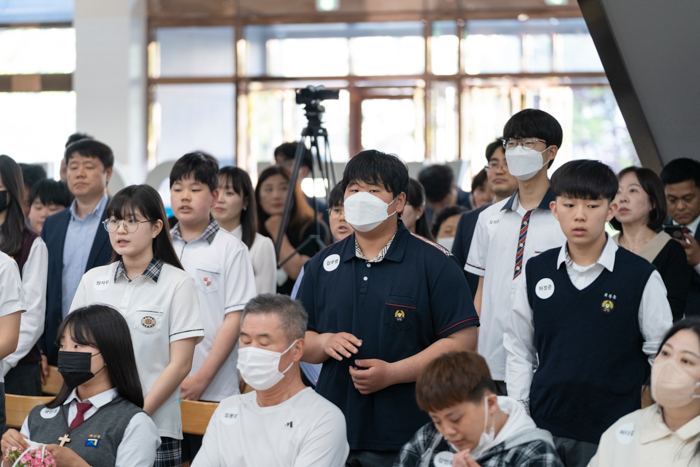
[161, 307]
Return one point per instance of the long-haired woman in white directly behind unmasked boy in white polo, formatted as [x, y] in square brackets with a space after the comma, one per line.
[236, 212]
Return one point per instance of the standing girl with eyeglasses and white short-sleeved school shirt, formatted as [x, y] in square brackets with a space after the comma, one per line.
[147, 284]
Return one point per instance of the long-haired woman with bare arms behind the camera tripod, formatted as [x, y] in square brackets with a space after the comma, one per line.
[270, 195]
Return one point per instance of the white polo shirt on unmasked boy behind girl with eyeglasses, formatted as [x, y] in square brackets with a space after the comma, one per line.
[223, 275]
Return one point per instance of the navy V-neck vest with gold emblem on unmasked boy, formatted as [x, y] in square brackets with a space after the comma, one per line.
[589, 345]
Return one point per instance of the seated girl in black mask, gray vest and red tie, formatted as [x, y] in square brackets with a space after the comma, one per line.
[98, 416]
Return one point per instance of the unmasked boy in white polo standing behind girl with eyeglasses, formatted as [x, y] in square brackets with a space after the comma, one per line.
[223, 274]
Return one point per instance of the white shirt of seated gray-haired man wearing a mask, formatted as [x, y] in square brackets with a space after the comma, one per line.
[303, 431]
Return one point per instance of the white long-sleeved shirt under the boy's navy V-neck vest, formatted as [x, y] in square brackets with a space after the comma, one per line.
[654, 317]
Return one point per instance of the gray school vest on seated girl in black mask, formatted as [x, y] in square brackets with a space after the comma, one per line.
[95, 440]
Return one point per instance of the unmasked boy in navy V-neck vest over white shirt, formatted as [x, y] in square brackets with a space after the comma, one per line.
[588, 317]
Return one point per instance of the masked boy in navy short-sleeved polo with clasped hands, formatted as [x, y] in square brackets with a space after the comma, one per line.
[382, 303]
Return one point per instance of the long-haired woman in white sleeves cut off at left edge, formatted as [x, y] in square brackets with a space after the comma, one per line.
[32, 257]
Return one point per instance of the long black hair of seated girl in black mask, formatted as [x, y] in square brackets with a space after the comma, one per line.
[104, 328]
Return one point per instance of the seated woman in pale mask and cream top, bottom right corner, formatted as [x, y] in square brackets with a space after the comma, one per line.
[666, 433]
